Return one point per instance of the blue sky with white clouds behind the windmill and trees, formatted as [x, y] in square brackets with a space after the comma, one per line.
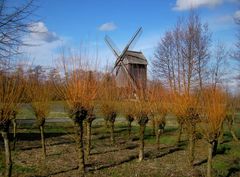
[83, 24]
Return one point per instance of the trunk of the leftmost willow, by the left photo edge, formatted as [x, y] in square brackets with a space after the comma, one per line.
[8, 158]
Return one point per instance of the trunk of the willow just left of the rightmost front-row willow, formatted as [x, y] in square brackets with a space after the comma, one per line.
[191, 145]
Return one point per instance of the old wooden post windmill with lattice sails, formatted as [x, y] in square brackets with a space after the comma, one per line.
[130, 66]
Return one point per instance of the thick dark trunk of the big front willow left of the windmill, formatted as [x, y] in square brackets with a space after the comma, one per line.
[79, 141]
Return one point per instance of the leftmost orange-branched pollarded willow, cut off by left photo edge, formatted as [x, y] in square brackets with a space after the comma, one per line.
[11, 89]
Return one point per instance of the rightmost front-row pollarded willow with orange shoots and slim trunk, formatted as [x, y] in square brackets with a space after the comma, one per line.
[213, 112]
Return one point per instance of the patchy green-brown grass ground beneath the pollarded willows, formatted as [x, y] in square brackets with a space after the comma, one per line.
[120, 159]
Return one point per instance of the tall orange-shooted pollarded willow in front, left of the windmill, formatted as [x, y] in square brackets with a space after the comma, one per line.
[79, 90]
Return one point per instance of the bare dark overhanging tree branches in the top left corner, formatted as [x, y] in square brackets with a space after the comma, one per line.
[15, 22]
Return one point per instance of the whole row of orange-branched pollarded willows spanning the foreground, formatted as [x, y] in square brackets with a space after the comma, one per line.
[85, 90]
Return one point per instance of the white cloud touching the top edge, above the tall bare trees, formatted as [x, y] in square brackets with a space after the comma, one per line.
[192, 4]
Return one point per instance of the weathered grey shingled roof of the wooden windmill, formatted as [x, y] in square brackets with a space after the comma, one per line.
[134, 57]
